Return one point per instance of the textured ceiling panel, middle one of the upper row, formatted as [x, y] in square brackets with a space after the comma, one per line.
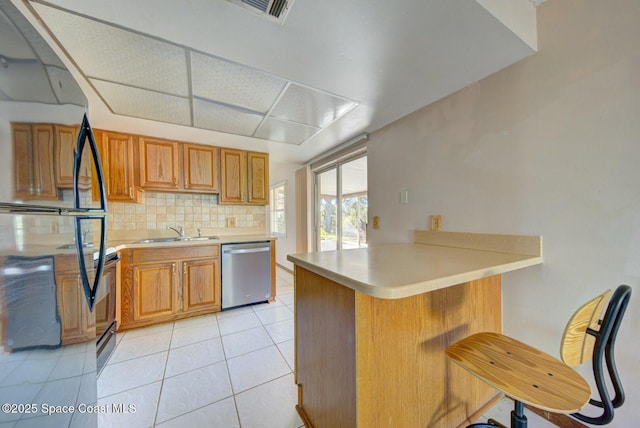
[234, 84]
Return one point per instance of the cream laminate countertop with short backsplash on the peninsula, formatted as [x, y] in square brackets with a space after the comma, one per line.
[436, 260]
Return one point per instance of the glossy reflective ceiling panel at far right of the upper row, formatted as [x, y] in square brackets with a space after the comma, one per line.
[309, 106]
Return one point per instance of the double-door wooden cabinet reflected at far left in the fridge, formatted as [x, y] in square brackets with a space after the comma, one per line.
[33, 147]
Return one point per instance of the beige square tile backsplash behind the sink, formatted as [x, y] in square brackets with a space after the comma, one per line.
[191, 211]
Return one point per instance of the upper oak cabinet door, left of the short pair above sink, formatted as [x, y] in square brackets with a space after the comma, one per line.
[159, 164]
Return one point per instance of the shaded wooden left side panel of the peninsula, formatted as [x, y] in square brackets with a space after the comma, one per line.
[325, 350]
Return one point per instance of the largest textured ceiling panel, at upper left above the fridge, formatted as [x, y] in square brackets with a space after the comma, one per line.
[110, 53]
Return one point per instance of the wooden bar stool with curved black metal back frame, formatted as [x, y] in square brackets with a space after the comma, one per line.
[530, 376]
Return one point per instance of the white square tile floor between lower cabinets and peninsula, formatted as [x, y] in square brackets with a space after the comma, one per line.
[226, 370]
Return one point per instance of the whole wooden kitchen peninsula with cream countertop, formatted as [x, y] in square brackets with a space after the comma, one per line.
[371, 326]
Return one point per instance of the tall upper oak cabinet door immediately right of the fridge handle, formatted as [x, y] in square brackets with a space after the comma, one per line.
[118, 165]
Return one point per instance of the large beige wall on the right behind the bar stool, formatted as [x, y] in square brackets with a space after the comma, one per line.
[549, 146]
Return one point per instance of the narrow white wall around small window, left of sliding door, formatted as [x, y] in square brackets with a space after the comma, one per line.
[280, 172]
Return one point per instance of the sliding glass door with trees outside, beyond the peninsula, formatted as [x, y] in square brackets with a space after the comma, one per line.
[341, 206]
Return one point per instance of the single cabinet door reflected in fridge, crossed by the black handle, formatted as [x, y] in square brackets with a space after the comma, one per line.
[66, 142]
